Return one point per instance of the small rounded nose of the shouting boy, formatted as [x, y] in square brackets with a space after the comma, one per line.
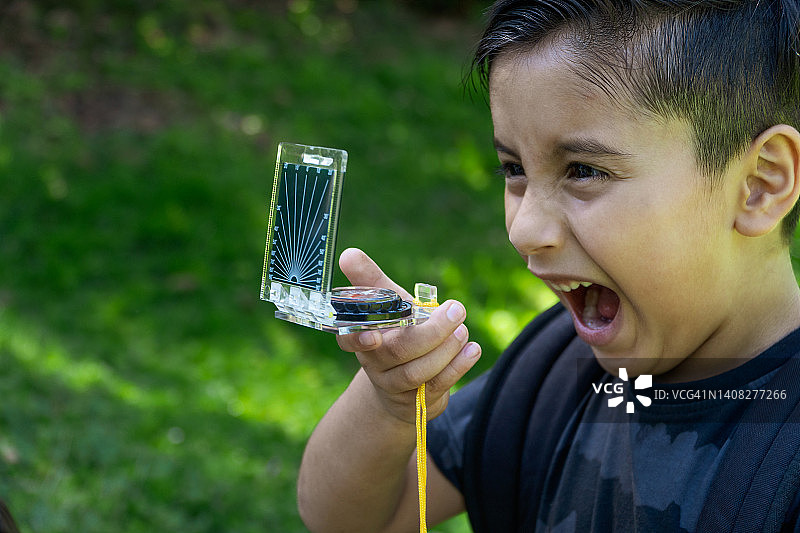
[534, 222]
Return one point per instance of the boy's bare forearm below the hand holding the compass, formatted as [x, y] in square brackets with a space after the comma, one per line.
[354, 467]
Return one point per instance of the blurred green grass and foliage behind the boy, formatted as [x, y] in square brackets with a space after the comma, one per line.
[145, 387]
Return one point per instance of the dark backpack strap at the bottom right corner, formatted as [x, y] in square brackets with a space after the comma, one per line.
[758, 477]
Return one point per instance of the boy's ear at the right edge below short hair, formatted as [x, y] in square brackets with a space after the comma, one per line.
[771, 183]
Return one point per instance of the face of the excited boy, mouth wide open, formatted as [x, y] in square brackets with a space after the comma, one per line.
[600, 195]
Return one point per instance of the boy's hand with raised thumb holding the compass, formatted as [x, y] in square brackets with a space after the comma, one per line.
[398, 361]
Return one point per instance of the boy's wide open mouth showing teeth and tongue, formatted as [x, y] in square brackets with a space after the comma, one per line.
[595, 306]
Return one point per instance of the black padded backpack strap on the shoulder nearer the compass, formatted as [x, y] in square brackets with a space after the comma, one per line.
[542, 361]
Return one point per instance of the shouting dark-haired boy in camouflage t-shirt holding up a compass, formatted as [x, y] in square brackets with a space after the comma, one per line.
[652, 168]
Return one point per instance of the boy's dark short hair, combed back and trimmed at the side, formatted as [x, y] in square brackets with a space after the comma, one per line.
[731, 68]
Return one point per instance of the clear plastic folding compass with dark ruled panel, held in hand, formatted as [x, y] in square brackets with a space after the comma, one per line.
[300, 249]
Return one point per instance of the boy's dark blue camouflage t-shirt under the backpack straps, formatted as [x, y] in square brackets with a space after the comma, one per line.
[649, 470]
